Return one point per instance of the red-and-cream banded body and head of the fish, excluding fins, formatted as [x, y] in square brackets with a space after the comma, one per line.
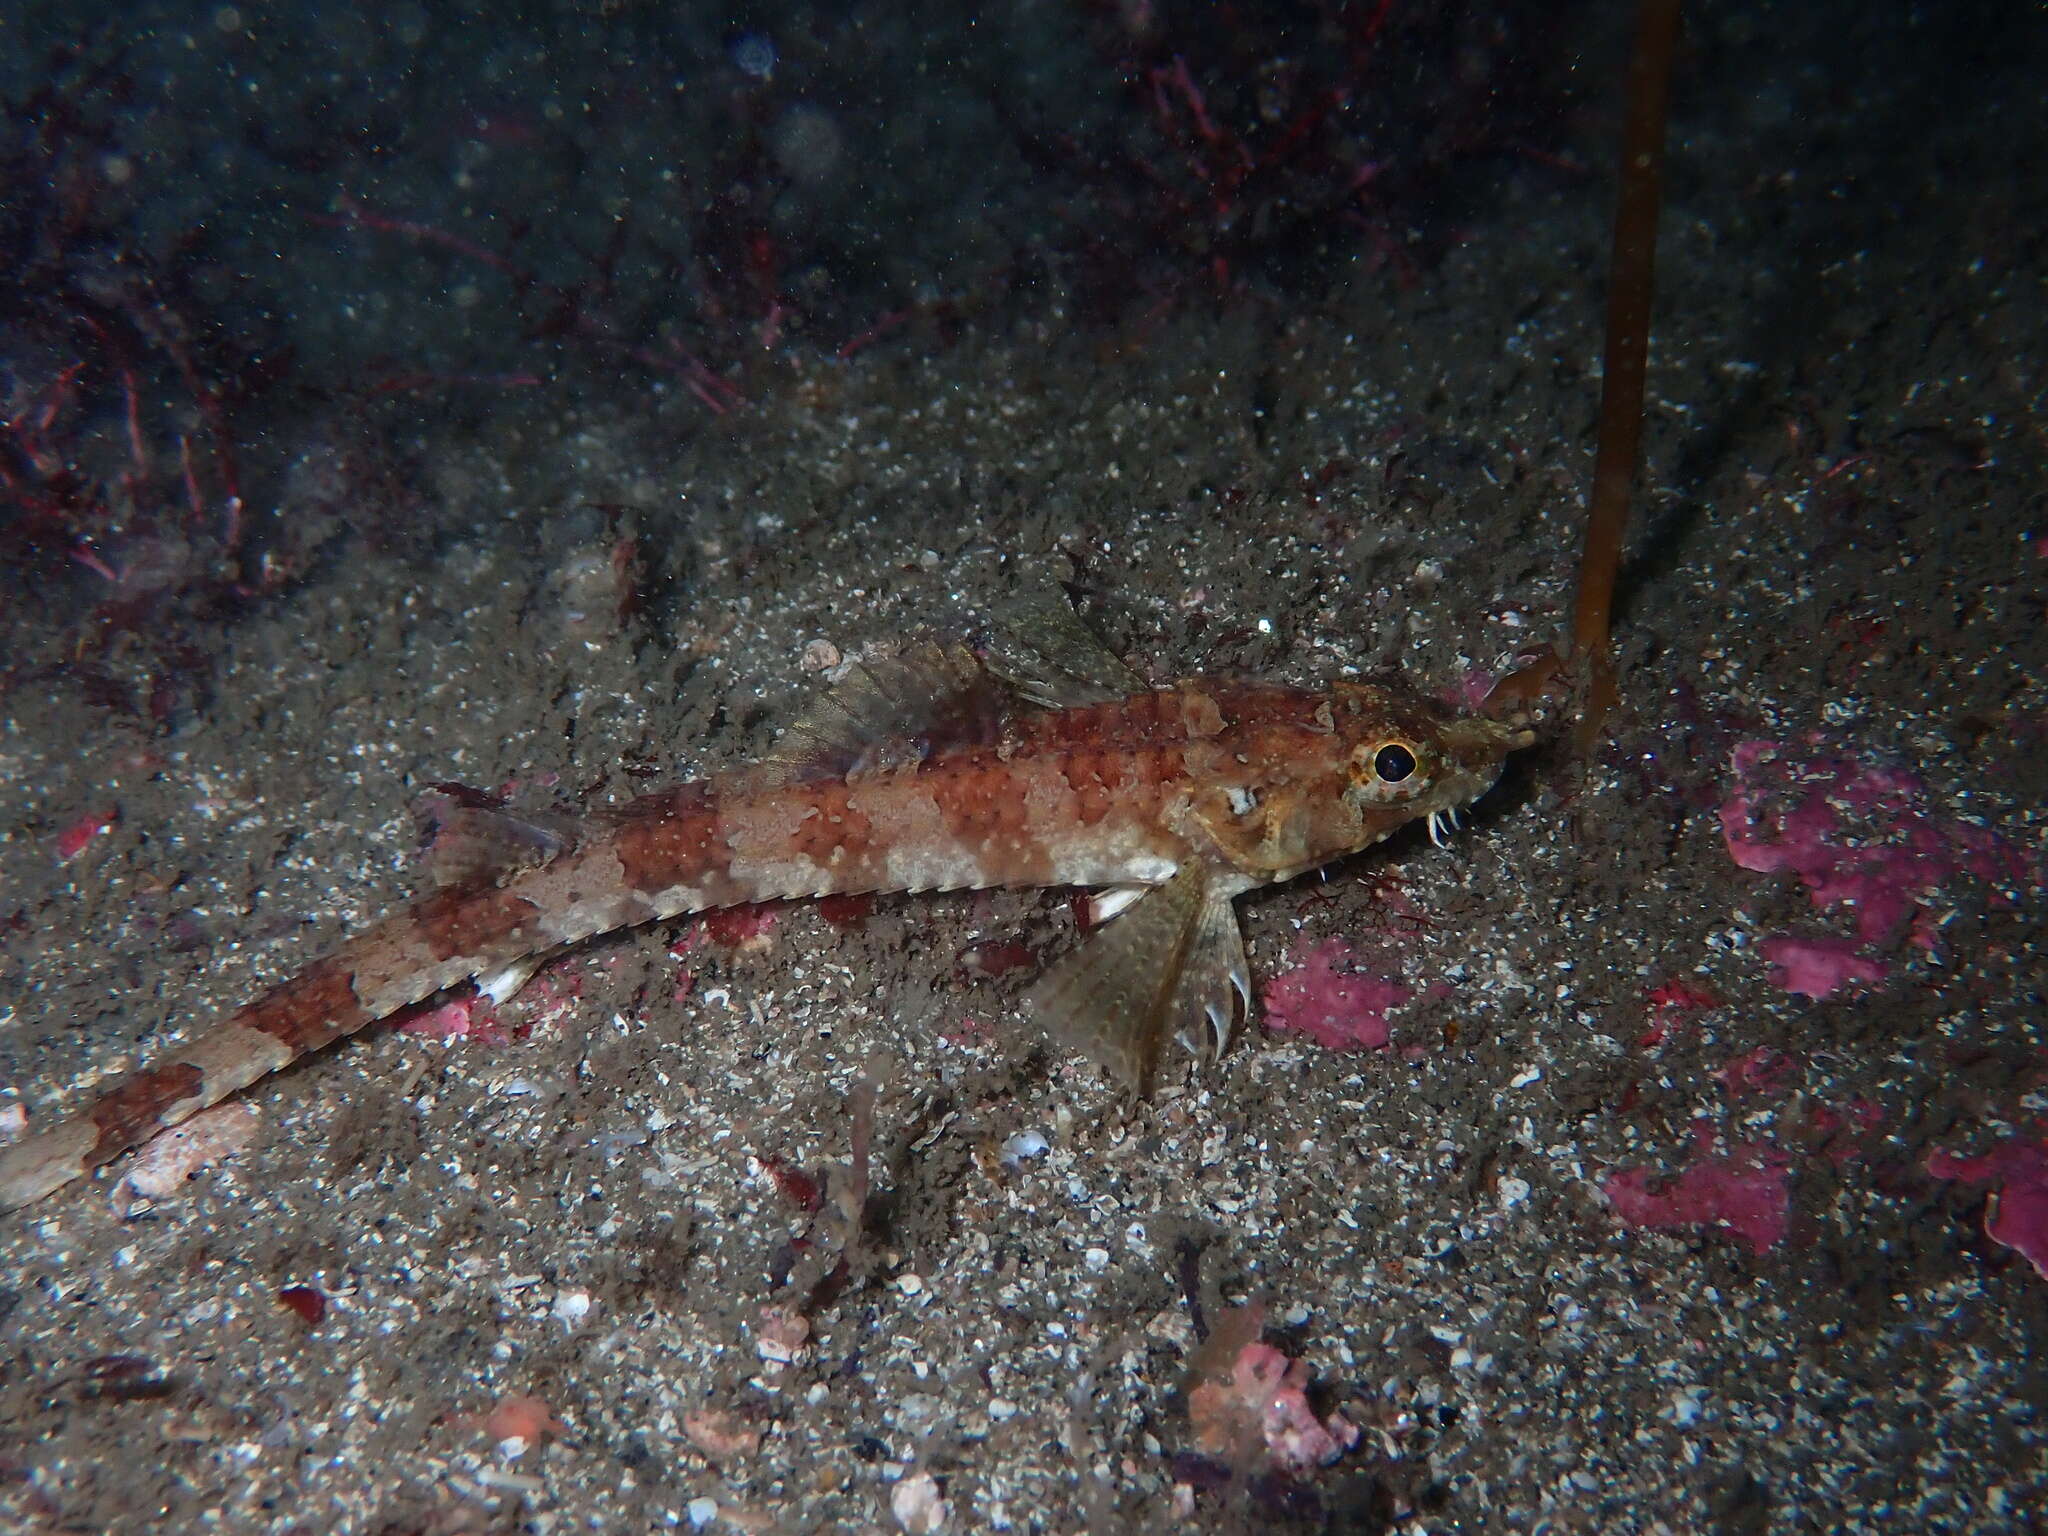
[1242, 779]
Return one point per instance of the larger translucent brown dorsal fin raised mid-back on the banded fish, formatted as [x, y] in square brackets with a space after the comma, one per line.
[894, 710]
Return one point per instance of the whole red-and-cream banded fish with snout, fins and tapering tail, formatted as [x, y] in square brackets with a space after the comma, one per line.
[1041, 761]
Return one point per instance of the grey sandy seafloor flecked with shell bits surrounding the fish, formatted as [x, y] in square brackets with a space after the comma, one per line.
[1791, 1324]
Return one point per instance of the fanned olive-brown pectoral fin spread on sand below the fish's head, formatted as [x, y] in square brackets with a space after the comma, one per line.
[1172, 964]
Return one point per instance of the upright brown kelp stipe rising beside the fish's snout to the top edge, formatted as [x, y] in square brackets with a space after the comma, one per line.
[1631, 290]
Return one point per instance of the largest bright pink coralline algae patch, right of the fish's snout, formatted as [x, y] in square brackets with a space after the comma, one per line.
[1859, 839]
